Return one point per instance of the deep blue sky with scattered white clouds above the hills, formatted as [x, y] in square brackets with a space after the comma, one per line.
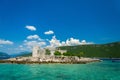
[53, 23]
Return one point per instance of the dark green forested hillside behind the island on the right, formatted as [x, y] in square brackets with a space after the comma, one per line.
[110, 50]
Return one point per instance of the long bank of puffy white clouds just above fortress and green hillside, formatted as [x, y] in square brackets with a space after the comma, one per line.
[35, 40]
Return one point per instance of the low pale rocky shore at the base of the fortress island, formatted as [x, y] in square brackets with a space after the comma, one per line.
[62, 60]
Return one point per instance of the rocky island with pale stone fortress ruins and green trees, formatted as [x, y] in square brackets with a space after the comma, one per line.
[49, 55]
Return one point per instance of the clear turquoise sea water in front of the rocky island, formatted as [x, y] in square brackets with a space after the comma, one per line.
[105, 70]
